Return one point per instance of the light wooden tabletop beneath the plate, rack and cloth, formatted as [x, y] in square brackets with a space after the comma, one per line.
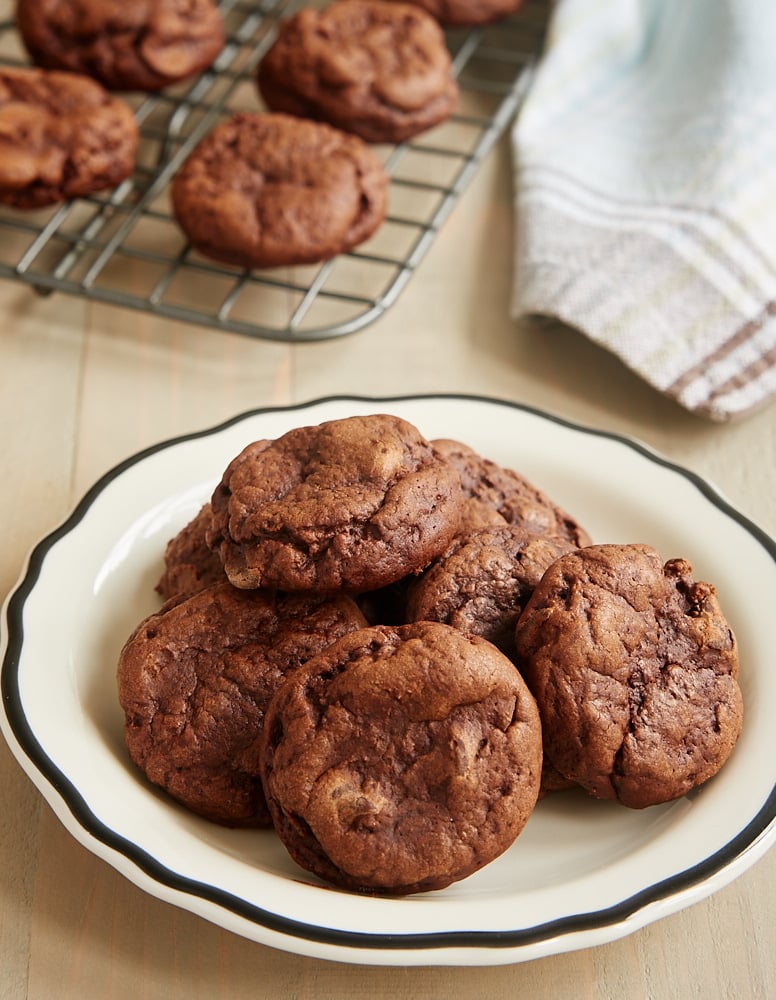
[86, 385]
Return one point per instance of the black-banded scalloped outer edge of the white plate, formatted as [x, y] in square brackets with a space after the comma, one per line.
[749, 843]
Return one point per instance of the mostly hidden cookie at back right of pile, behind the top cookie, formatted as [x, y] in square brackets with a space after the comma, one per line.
[491, 489]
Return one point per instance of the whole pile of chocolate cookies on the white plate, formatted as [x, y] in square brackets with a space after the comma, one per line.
[388, 648]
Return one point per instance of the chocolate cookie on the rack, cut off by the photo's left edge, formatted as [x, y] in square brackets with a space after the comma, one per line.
[61, 136]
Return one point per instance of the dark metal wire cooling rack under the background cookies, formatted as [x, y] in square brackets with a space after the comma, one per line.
[125, 248]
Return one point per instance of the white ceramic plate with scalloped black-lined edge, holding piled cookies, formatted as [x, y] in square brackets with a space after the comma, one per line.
[581, 873]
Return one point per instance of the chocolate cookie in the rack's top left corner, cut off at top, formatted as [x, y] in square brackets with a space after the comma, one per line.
[145, 45]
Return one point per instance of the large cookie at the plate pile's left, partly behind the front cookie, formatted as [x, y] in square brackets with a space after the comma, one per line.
[194, 681]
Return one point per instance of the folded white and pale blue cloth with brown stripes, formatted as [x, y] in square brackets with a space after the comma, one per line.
[645, 189]
